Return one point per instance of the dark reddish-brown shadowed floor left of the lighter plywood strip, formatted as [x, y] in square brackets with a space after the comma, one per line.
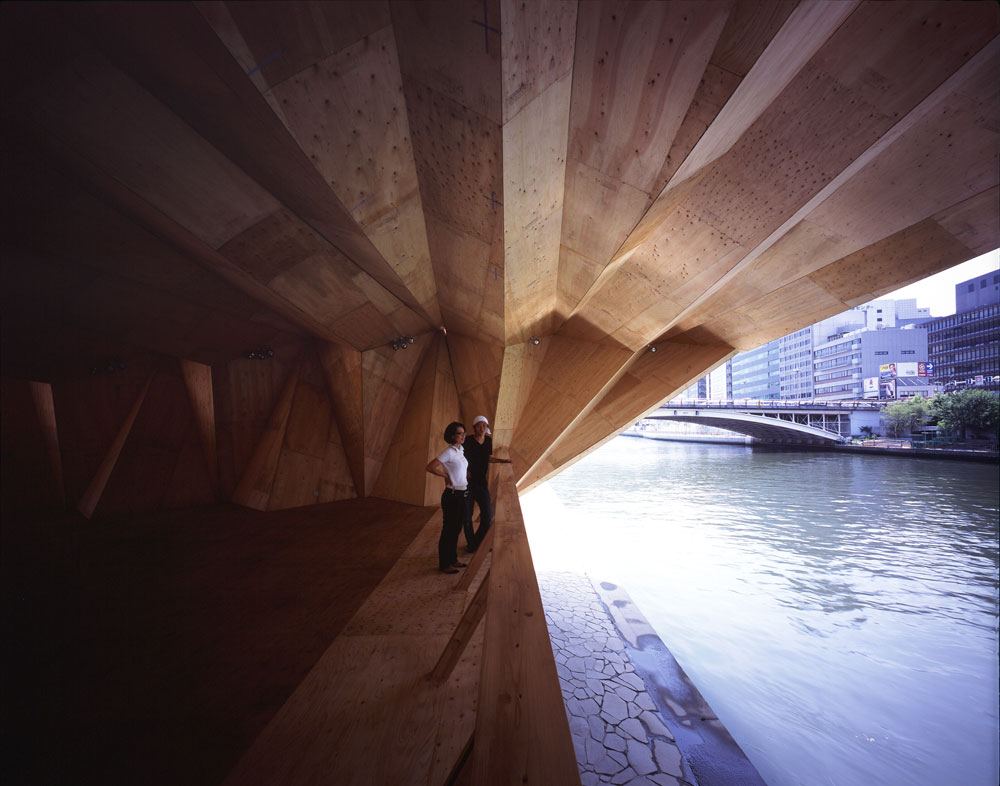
[155, 649]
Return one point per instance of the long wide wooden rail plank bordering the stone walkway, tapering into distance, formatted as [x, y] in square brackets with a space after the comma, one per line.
[522, 735]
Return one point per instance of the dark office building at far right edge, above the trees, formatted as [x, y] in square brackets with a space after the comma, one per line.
[965, 347]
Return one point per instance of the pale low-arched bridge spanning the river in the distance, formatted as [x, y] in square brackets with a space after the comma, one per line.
[769, 423]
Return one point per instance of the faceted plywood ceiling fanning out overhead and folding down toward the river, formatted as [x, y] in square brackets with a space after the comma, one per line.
[199, 178]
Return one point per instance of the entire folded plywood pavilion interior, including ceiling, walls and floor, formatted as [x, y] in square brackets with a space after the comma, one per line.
[225, 222]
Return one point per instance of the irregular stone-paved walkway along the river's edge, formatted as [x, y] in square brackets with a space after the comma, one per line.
[635, 717]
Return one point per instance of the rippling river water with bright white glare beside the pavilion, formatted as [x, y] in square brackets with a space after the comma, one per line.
[839, 612]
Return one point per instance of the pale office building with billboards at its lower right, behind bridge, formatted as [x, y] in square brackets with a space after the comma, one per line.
[843, 363]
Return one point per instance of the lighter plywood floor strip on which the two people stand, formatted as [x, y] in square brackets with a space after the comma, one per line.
[368, 714]
